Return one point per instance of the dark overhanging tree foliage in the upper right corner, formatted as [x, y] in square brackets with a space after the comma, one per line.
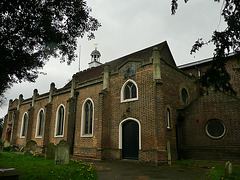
[225, 41]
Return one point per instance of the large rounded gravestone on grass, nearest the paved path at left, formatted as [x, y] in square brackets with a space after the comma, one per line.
[62, 153]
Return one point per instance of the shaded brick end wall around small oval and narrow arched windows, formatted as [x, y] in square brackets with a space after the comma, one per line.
[173, 83]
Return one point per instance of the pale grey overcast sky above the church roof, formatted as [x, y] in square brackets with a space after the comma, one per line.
[129, 26]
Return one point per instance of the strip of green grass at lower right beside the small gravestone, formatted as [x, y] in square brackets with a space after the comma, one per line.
[216, 169]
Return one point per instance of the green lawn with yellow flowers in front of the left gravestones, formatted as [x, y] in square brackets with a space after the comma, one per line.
[35, 167]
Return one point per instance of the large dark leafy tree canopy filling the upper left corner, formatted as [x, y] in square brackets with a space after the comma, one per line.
[32, 31]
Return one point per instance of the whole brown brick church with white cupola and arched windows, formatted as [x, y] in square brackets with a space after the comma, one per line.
[140, 106]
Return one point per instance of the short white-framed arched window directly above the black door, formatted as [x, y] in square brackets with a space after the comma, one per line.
[129, 91]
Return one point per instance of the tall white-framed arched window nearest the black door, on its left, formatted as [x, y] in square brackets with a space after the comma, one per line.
[87, 118]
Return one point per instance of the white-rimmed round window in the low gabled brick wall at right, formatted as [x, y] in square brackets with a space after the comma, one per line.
[215, 129]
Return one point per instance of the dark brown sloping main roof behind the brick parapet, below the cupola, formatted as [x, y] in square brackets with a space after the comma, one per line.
[143, 55]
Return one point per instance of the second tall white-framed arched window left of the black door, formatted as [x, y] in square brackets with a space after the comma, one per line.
[60, 117]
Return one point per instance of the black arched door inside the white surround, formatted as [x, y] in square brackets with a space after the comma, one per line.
[130, 139]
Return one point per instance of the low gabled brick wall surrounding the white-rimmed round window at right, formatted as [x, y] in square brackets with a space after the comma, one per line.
[196, 142]
